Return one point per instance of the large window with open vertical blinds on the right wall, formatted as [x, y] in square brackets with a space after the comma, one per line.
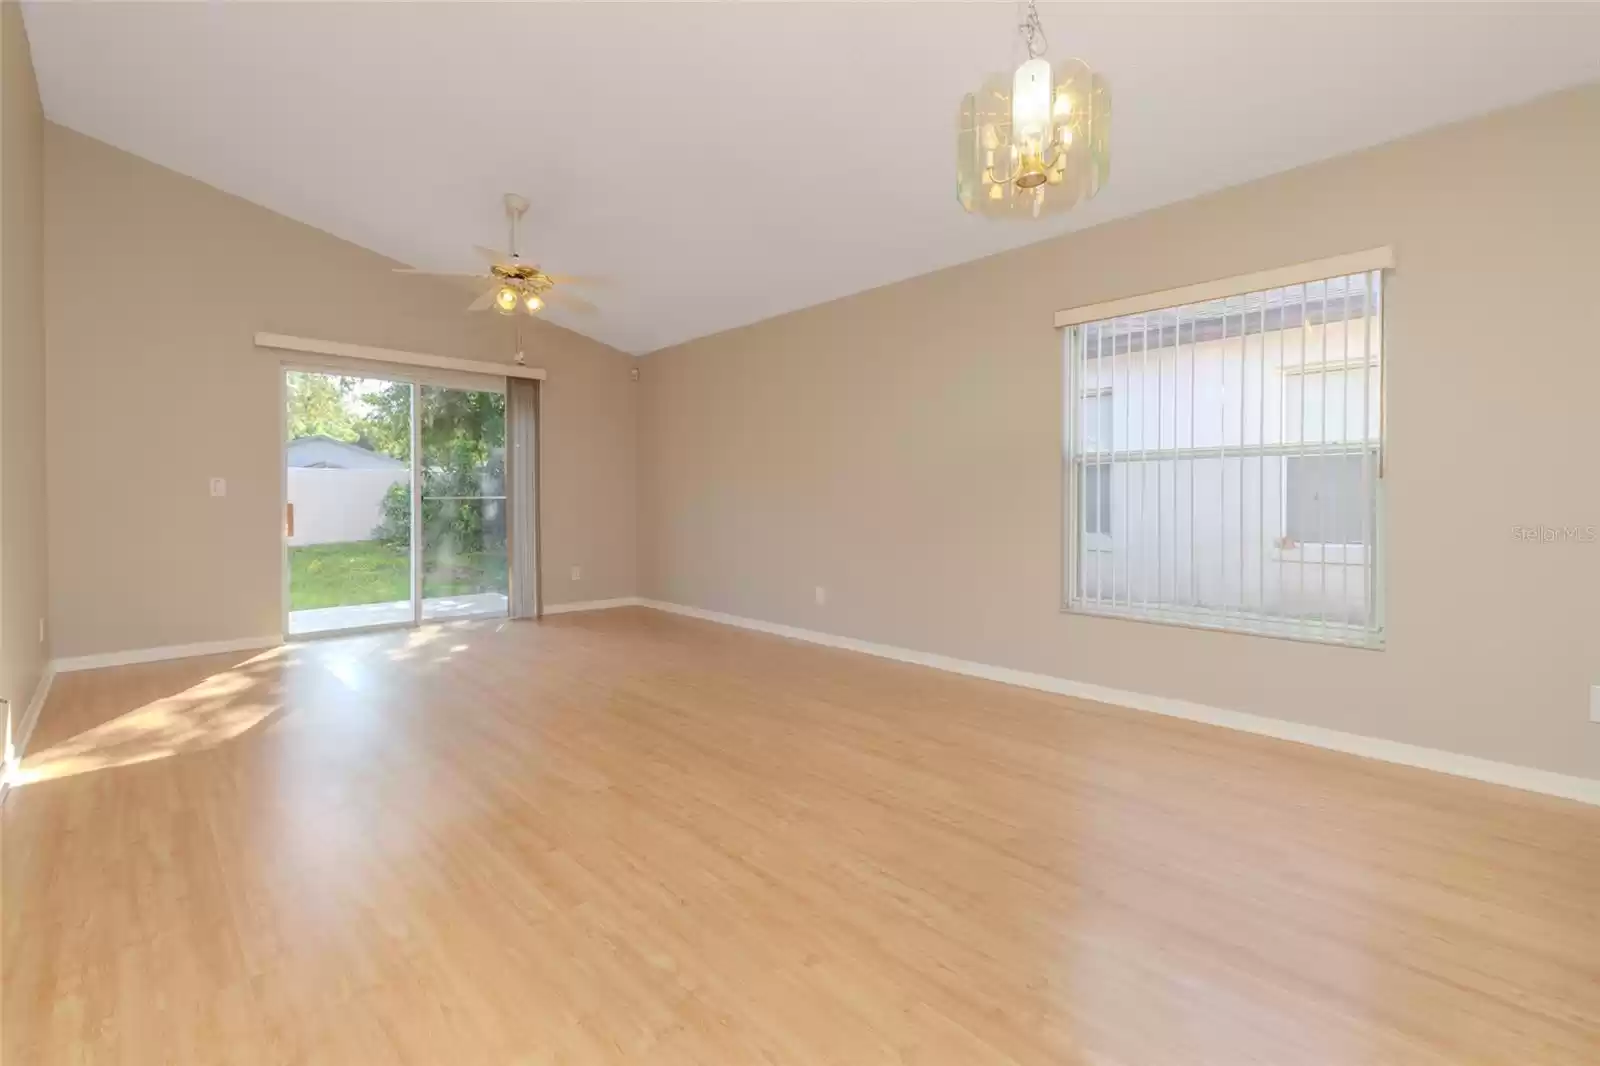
[1225, 460]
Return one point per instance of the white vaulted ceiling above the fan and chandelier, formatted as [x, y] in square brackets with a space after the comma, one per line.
[732, 162]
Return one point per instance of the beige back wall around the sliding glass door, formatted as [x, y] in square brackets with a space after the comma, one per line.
[156, 286]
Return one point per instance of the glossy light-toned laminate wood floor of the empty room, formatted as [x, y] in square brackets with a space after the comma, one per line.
[631, 838]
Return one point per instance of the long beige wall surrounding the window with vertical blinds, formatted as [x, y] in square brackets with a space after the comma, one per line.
[903, 447]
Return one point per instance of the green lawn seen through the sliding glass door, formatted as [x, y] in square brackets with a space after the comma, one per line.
[367, 572]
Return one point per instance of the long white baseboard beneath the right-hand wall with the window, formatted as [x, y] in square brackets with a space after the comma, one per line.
[1511, 775]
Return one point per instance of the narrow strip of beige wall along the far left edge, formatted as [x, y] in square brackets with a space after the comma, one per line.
[23, 542]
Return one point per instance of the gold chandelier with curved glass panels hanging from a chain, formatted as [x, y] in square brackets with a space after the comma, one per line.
[1036, 142]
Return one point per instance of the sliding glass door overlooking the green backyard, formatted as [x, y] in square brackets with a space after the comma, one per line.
[396, 505]
